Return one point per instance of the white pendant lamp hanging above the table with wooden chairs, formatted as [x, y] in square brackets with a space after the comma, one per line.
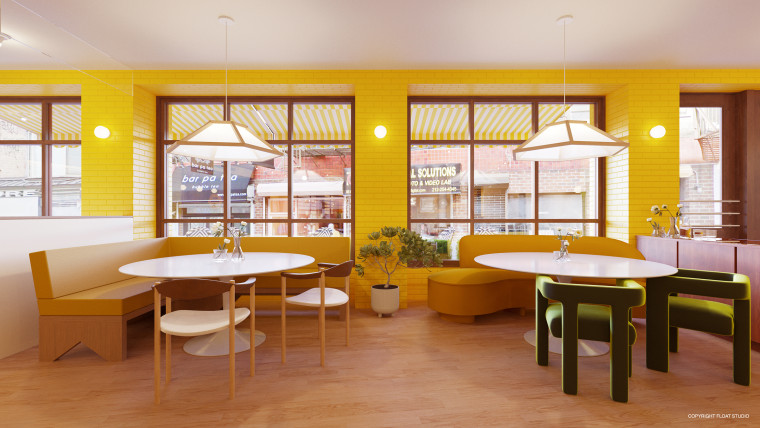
[224, 140]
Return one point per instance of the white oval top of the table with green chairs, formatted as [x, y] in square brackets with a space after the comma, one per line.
[579, 265]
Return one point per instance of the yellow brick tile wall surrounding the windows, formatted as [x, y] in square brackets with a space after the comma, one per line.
[117, 173]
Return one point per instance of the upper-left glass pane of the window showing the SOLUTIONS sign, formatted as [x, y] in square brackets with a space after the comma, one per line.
[440, 122]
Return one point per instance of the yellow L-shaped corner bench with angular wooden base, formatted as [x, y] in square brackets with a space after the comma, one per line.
[82, 296]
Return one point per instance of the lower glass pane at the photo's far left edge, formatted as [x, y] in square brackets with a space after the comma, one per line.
[20, 183]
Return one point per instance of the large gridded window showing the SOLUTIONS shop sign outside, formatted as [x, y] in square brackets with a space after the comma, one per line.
[463, 178]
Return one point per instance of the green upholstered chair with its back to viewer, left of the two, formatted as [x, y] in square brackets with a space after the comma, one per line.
[590, 312]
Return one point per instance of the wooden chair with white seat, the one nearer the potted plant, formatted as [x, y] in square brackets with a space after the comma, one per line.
[319, 297]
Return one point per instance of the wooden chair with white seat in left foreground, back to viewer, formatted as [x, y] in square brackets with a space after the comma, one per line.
[195, 323]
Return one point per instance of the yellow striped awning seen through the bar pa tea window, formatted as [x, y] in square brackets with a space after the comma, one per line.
[310, 121]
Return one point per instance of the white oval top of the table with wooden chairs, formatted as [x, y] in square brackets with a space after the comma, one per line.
[202, 265]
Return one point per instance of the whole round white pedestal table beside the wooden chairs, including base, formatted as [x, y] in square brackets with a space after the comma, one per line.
[202, 266]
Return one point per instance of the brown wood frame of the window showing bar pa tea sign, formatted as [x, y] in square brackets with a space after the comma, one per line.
[162, 115]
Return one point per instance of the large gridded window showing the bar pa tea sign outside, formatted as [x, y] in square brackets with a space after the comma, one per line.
[306, 192]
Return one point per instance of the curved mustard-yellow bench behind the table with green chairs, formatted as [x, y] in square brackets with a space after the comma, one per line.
[459, 294]
